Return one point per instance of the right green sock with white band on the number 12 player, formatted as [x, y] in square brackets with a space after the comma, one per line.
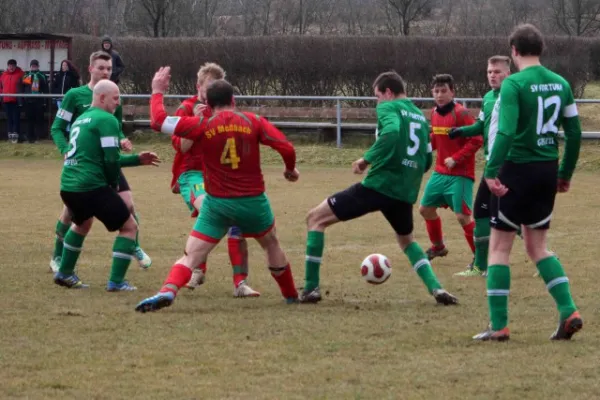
[557, 284]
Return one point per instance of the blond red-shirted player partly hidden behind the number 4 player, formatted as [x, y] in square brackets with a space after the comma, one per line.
[189, 180]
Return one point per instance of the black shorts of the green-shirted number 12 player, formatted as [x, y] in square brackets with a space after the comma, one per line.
[530, 198]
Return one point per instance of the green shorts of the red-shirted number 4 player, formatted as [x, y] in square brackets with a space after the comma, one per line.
[253, 216]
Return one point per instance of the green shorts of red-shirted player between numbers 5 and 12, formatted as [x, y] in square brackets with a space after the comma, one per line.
[451, 191]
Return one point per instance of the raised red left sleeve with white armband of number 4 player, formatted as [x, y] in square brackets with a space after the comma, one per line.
[186, 127]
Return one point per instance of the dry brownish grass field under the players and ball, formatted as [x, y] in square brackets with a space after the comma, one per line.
[361, 342]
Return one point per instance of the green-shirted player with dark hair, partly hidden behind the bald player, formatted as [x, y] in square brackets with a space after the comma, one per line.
[75, 102]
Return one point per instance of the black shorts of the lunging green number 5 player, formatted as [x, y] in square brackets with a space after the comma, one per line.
[359, 200]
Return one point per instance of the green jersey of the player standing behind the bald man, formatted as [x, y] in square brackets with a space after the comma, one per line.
[75, 102]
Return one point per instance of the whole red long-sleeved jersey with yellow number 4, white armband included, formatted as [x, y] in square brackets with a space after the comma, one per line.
[230, 142]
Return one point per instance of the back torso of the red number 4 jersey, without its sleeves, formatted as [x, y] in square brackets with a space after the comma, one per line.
[231, 149]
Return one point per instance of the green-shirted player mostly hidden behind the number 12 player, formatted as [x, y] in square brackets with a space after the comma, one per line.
[486, 126]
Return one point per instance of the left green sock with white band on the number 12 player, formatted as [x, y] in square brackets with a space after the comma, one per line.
[498, 289]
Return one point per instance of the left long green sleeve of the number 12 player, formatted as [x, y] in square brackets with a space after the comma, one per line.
[507, 128]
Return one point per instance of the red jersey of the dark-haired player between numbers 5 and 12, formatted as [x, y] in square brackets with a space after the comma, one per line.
[462, 150]
